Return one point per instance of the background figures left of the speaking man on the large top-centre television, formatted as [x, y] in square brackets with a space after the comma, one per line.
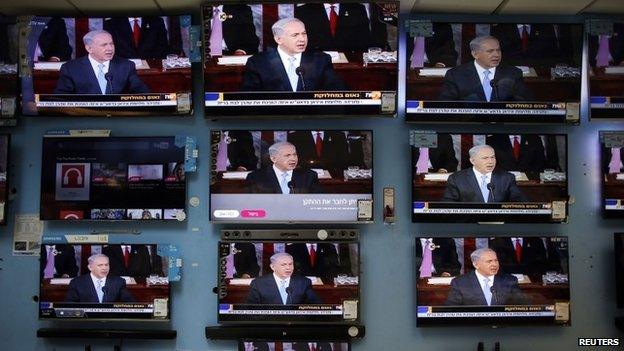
[232, 31]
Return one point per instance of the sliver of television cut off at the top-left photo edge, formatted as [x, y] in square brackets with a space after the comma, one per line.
[8, 68]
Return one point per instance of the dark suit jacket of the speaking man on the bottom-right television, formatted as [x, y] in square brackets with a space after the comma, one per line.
[466, 290]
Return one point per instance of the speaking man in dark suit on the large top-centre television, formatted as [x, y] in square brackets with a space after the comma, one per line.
[290, 67]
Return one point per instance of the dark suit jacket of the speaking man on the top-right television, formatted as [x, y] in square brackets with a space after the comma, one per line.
[462, 83]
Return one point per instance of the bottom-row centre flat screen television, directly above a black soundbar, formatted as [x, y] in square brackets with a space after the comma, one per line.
[297, 280]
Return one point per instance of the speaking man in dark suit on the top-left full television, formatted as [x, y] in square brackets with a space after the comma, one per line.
[100, 72]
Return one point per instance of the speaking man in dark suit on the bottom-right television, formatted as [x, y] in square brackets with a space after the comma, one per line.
[485, 286]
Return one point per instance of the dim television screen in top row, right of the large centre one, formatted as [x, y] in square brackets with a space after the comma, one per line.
[493, 72]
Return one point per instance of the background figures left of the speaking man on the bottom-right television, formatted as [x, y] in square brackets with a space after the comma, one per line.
[437, 257]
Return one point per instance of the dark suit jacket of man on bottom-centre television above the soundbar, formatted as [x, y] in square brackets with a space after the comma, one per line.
[263, 290]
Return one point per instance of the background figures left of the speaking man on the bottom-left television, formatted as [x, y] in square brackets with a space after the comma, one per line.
[59, 261]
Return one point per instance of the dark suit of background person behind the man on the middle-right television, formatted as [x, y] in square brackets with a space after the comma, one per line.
[531, 159]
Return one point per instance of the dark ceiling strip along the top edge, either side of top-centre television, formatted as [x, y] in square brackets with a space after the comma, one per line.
[94, 7]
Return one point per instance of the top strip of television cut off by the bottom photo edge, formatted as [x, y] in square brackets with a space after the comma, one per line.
[307, 345]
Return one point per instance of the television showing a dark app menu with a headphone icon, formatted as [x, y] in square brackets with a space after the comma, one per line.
[113, 178]
